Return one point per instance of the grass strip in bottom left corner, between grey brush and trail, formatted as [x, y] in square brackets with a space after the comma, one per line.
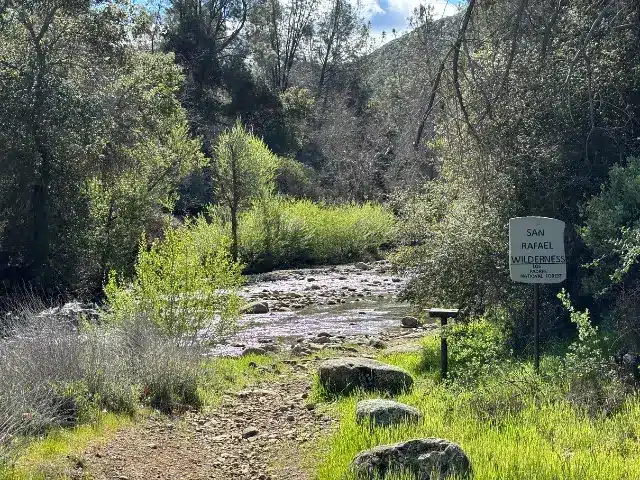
[53, 455]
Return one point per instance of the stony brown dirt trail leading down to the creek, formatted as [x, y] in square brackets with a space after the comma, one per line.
[256, 434]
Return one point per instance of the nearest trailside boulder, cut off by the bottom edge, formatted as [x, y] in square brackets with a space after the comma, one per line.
[425, 459]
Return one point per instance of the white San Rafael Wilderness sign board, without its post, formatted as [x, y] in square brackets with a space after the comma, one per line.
[536, 250]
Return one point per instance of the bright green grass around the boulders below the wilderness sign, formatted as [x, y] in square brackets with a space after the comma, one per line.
[508, 436]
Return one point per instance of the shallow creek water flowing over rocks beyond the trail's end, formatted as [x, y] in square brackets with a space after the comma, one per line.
[345, 301]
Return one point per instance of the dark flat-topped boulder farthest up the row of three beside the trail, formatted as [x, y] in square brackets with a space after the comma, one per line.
[343, 375]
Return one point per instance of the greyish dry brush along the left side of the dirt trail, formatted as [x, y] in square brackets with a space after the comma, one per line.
[53, 375]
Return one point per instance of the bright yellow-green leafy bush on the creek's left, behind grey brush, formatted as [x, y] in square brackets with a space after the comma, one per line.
[182, 283]
